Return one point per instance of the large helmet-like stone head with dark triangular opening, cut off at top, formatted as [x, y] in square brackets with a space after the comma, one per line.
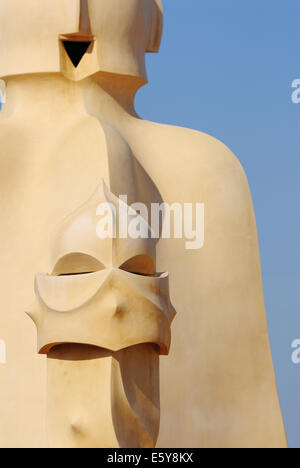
[119, 32]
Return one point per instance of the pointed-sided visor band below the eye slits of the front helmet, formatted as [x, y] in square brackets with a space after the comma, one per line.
[111, 309]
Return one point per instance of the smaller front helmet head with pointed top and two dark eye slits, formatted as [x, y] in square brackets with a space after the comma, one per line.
[104, 293]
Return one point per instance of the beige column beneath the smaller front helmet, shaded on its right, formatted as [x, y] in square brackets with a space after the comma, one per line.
[117, 406]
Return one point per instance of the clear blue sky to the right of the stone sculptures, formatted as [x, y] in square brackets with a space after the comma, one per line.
[226, 68]
